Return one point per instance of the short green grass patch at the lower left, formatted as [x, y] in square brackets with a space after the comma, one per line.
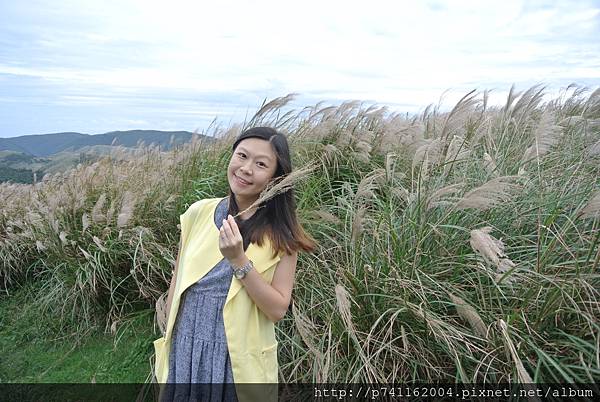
[33, 348]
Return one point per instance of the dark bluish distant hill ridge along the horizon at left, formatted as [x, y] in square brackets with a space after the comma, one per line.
[43, 145]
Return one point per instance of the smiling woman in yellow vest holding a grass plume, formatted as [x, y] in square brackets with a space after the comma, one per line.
[234, 277]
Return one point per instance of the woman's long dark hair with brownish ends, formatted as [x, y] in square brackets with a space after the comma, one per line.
[276, 218]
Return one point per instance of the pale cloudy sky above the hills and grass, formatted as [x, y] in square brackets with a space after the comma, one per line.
[99, 66]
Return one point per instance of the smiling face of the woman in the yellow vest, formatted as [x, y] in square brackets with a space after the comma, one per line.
[254, 162]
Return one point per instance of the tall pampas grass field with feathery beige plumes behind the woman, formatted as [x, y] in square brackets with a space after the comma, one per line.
[455, 246]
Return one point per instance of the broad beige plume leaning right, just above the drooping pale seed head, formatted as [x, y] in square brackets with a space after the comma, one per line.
[490, 194]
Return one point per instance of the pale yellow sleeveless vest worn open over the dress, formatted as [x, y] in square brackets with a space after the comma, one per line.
[250, 334]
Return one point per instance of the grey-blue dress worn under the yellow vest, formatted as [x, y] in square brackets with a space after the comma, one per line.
[199, 362]
